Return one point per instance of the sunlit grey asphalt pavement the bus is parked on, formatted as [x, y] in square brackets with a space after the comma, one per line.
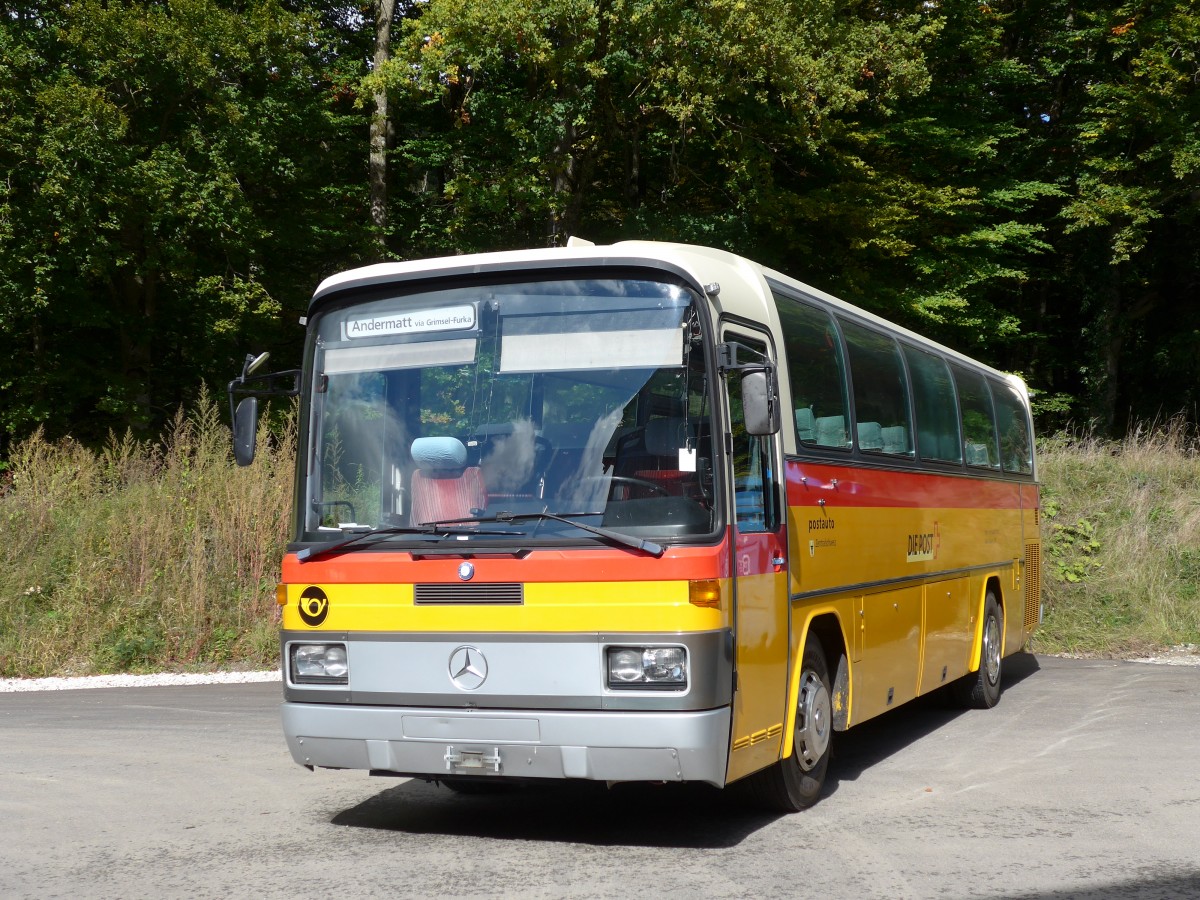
[1083, 783]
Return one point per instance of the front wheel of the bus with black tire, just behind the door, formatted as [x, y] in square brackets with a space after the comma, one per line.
[796, 783]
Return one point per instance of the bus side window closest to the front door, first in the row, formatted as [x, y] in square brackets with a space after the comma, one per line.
[818, 375]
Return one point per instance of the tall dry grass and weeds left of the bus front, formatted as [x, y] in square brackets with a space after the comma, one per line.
[143, 556]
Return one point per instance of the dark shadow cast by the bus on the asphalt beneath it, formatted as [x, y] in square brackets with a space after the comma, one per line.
[670, 817]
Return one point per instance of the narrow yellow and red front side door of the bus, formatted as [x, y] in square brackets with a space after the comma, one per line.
[760, 585]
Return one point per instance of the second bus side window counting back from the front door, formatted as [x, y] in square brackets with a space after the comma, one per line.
[881, 392]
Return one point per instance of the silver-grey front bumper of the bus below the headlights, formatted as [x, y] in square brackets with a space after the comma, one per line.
[691, 746]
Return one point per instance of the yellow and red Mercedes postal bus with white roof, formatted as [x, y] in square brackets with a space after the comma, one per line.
[637, 513]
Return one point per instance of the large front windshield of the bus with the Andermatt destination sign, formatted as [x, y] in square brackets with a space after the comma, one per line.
[585, 399]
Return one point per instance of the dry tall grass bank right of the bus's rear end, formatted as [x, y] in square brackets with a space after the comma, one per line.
[1121, 542]
